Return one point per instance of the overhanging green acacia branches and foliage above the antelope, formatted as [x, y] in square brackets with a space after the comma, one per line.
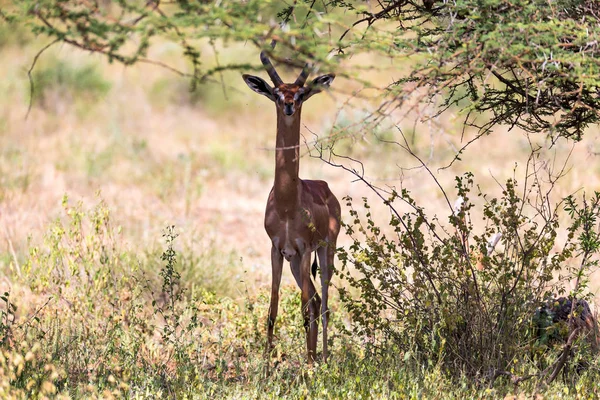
[527, 63]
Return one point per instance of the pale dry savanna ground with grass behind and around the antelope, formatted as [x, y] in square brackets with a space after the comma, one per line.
[110, 156]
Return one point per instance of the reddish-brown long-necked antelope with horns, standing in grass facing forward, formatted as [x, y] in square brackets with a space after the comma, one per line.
[302, 216]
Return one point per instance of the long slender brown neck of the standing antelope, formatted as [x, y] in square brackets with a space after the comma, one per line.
[287, 162]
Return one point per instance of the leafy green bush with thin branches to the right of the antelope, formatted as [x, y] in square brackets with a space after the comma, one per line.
[432, 291]
